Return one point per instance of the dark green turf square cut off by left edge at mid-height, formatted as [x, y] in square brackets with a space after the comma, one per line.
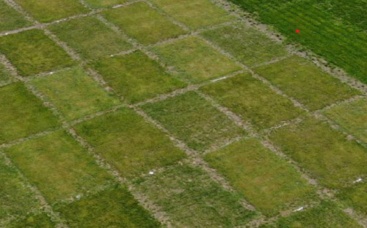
[22, 114]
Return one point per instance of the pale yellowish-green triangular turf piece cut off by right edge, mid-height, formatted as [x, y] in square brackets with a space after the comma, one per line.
[352, 117]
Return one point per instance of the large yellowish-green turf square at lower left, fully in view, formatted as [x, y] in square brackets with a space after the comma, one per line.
[58, 166]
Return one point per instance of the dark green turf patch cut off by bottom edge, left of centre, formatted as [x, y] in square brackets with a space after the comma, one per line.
[114, 207]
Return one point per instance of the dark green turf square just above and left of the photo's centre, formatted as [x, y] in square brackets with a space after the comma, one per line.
[136, 77]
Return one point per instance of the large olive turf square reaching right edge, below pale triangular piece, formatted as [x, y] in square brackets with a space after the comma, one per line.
[329, 156]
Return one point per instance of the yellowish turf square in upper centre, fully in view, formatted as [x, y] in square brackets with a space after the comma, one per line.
[195, 60]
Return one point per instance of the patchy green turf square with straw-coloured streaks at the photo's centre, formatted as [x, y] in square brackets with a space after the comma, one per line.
[193, 120]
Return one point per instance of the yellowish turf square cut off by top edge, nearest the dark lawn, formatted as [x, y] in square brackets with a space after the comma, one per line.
[191, 13]
